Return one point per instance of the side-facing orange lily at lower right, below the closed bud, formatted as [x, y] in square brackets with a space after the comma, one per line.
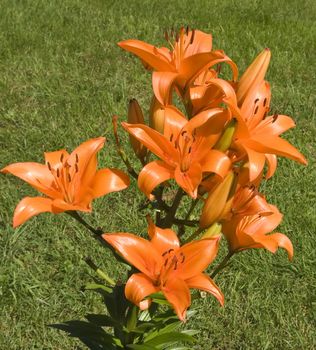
[245, 232]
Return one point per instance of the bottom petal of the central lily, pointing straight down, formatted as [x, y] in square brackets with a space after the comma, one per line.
[189, 180]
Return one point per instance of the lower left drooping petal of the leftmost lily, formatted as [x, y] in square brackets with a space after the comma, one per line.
[29, 207]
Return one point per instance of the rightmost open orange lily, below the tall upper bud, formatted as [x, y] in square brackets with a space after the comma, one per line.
[257, 135]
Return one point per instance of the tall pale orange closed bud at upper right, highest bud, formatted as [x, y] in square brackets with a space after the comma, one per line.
[253, 75]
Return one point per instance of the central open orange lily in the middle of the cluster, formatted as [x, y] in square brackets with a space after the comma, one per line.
[185, 149]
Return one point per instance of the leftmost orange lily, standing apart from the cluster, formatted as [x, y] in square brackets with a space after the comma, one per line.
[70, 181]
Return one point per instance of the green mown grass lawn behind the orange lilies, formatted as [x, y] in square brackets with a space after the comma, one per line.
[60, 68]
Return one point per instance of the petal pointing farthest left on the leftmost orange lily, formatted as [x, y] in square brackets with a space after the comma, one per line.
[35, 174]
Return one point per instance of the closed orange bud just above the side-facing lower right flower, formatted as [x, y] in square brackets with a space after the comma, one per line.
[216, 202]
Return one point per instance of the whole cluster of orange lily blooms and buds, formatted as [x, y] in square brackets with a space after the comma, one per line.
[218, 149]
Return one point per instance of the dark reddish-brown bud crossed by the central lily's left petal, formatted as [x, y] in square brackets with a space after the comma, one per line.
[135, 116]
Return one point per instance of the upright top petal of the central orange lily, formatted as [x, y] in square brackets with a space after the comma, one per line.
[174, 123]
